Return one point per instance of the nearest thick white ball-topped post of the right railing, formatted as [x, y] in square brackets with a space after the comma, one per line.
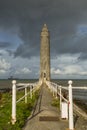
[71, 126]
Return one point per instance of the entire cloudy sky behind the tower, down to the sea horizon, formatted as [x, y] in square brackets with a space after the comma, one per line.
[21, 22]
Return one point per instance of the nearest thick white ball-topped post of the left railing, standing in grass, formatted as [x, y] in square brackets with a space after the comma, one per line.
[13, 102]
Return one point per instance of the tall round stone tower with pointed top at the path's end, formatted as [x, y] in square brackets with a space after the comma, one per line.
[45, 54]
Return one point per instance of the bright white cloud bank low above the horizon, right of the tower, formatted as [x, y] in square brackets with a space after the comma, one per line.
[68, 66]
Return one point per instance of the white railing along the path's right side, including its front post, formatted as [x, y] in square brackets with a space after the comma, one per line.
[56, 89]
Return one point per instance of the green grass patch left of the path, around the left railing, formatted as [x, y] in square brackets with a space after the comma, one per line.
[23, 110]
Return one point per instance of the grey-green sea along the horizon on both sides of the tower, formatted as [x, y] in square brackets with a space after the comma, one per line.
[80, 94]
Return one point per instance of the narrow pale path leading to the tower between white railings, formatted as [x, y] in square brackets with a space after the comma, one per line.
[45, 116]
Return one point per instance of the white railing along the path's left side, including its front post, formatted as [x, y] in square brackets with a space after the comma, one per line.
[15, 87]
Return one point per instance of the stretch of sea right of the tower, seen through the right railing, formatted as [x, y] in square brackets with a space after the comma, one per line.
[78, 94]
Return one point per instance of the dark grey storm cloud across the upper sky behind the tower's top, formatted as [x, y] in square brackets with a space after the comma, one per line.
[62, 17]
